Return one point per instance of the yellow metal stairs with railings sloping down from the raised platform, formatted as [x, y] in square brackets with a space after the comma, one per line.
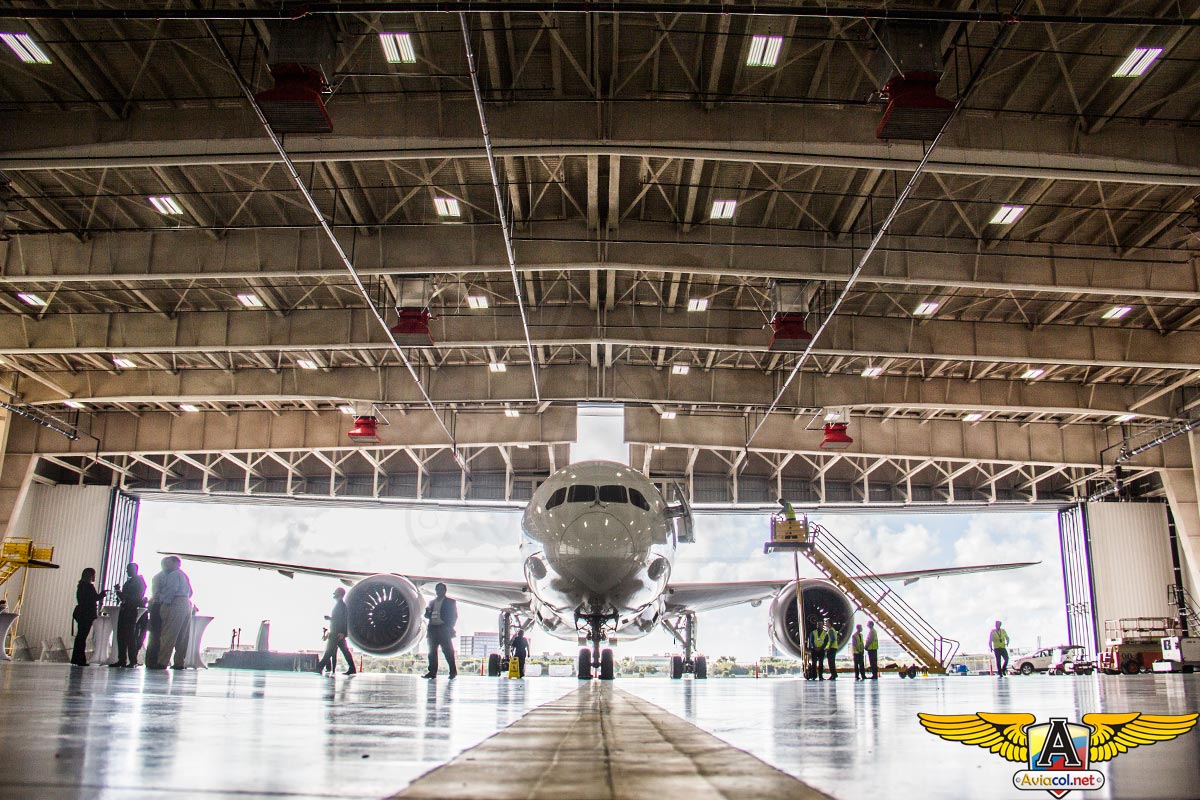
[872, 594]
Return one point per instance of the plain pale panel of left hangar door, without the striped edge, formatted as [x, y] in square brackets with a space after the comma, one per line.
[75, 520]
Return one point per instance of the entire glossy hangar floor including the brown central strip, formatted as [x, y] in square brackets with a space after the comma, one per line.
[124, 735]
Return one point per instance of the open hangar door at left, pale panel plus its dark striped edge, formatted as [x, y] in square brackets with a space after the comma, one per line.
[88, 526]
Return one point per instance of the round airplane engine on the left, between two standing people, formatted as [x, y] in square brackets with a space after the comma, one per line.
[387, 615]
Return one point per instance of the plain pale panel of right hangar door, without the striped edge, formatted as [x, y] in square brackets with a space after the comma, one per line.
[1131, 558]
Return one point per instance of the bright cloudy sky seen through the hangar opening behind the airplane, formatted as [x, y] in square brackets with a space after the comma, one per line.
[484, 545]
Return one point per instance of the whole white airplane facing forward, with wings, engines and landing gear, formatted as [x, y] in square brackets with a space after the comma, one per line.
[598, 546]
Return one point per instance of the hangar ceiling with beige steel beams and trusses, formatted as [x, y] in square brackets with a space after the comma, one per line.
[617, 139]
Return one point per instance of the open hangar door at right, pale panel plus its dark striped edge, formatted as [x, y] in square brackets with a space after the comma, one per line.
[1120, 561]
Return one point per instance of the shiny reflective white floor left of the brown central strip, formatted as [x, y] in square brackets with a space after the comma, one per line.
[117, 735]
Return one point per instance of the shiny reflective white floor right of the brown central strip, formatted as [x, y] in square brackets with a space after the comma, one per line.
[862, 741]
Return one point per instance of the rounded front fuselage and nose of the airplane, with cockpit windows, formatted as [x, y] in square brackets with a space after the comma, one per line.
[598, 542]
